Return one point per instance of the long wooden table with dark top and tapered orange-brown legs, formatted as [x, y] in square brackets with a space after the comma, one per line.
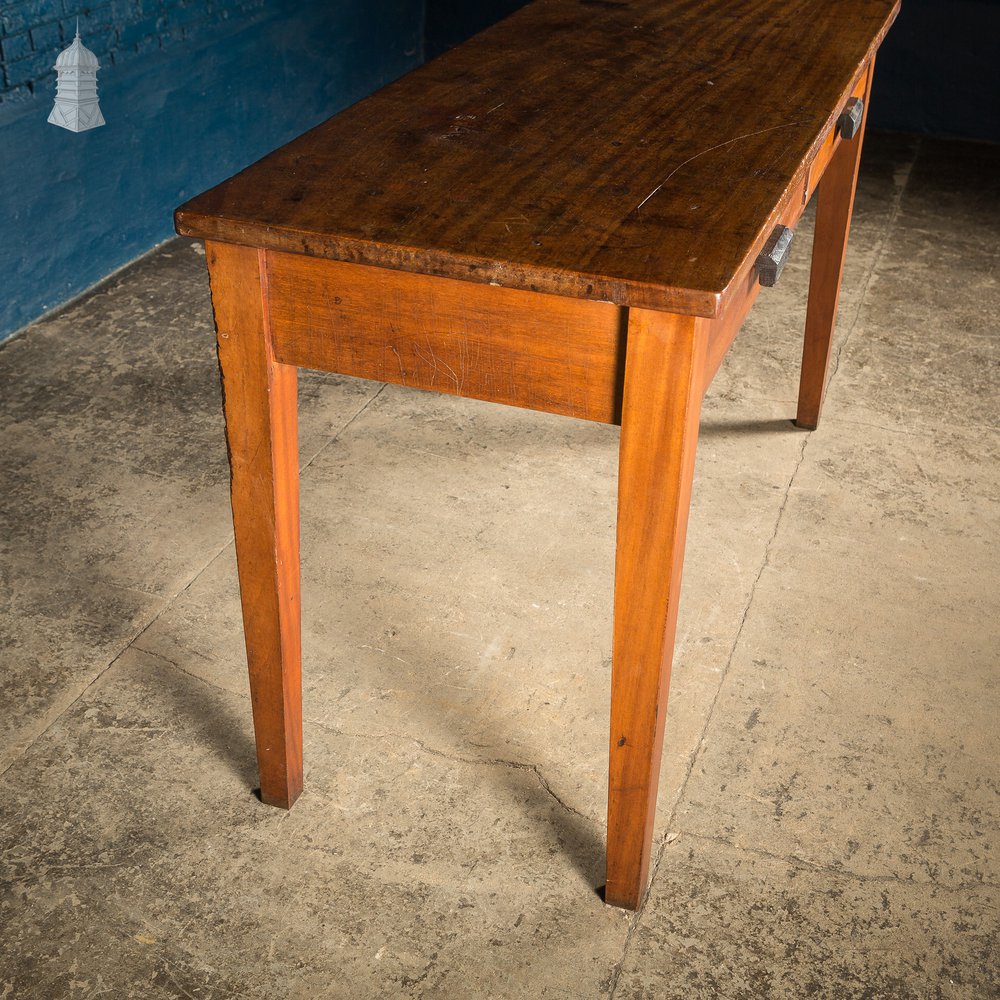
[566, 213]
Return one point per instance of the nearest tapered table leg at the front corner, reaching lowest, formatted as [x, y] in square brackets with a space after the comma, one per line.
[664, 374]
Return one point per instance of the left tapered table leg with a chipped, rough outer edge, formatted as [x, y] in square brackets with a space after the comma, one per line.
[262, 429]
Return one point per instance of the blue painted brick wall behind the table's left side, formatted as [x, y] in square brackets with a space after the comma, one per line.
[192, 92]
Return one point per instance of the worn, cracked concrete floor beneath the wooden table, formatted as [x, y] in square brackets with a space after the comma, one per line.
[828, 811]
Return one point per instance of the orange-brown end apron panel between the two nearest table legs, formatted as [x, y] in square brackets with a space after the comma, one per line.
[544, 352]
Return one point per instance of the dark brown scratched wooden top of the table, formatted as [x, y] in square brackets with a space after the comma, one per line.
[437, 173]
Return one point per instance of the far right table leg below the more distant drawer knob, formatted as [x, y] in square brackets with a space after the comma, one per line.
[835, 202]
